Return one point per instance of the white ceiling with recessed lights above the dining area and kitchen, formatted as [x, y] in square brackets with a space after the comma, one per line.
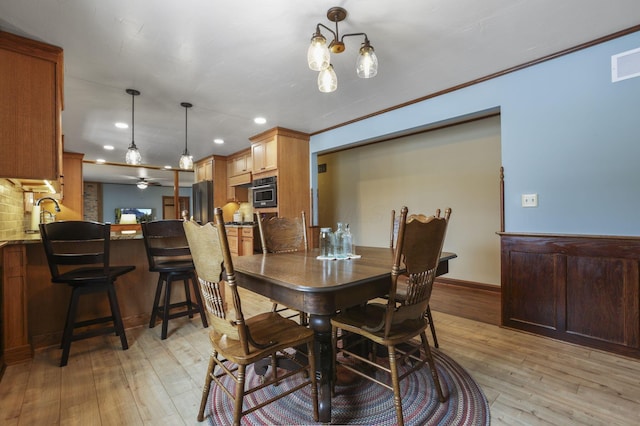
[238, 59]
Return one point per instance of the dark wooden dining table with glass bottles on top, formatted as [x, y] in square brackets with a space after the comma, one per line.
[320, 288]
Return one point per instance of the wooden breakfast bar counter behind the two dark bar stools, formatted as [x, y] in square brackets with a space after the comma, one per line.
[37, 307]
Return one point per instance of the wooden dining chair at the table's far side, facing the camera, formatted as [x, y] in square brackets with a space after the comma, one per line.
[284, 235]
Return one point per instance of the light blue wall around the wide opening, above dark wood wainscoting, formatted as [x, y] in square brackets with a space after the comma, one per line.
[568, 134]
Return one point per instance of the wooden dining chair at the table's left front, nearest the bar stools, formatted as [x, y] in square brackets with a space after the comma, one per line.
[238, 342]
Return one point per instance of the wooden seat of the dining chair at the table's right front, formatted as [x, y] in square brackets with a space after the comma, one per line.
[370, 316]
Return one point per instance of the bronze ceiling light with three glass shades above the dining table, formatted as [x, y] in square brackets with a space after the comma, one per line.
[318, 55]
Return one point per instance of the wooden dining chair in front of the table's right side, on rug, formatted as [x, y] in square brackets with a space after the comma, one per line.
[394, 325]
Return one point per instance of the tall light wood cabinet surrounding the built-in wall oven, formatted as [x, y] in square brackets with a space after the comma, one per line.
[284, 153]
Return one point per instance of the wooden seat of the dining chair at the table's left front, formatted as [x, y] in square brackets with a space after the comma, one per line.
[264, 328]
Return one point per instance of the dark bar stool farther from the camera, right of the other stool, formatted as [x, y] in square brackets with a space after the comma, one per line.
[168, 254]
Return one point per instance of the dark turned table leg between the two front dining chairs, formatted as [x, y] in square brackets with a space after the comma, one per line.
[321, 325]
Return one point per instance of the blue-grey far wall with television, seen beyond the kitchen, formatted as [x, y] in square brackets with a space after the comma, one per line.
[117, 196]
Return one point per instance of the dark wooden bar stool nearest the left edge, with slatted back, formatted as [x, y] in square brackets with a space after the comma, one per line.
[78, 254]
